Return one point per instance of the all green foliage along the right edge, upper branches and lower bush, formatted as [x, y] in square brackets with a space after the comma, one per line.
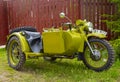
[113, 22]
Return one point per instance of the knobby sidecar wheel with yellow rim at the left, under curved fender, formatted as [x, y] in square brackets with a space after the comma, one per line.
[16, 58]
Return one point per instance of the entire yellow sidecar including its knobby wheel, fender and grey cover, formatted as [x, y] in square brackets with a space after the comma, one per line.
[53, 43]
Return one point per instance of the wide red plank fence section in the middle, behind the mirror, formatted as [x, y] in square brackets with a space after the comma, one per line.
[41, 13]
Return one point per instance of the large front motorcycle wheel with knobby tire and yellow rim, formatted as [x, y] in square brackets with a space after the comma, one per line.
[105, 55]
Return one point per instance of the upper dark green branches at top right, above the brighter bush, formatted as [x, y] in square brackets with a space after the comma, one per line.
[113, 21]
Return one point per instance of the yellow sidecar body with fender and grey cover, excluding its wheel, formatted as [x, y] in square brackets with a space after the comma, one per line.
[57, 42]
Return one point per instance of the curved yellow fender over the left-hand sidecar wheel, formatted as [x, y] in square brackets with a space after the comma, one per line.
[24, 44]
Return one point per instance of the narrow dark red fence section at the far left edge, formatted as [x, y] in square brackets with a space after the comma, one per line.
[3, 22]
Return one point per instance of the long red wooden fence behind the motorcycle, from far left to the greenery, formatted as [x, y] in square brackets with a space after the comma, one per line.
[45, 13]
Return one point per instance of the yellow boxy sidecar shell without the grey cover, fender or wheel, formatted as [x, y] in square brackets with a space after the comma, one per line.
[62, 42]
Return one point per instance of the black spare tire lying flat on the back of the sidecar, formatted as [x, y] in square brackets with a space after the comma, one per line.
[24, 28]
